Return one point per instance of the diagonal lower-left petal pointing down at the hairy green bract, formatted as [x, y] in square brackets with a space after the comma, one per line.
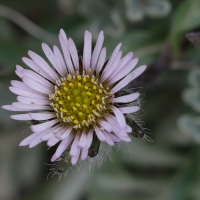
[61, 148]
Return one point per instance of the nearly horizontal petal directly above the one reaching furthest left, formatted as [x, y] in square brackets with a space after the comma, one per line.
[30, 107]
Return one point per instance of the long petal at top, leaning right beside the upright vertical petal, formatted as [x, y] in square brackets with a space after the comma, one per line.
[97, 49]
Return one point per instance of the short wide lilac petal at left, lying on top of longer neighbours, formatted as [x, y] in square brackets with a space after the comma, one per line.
[37, 86]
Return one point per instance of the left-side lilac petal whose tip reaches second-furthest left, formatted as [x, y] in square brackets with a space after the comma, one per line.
[26, 93]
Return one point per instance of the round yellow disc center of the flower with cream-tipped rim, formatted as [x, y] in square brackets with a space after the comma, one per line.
[79, 100]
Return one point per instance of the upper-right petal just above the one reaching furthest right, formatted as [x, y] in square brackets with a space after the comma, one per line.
[123, 72]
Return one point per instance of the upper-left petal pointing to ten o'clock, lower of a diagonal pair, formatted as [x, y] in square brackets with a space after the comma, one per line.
[34, 66]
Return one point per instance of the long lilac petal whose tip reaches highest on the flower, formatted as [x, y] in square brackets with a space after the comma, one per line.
[64, 45]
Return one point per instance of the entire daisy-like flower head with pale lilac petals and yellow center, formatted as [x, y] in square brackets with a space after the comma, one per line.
[77, 100]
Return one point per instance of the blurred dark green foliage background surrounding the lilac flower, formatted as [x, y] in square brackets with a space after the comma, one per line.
[166, 169]
